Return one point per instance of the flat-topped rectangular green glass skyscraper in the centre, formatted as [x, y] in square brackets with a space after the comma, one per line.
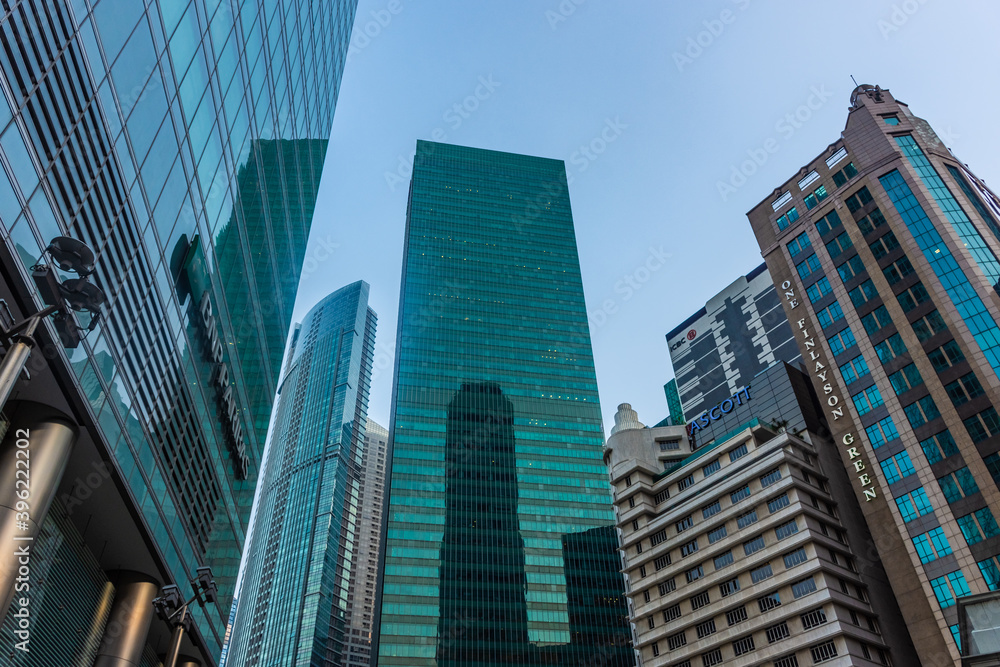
[498, 547]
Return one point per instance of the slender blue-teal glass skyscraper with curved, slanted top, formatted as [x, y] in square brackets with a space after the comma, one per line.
[294, 602]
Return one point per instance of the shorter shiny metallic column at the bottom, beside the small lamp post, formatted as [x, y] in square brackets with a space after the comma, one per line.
[128, 623]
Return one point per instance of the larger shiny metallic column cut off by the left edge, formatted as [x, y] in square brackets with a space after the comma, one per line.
[33, 457]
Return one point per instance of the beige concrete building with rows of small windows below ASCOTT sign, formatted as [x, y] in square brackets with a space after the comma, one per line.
[739, 553]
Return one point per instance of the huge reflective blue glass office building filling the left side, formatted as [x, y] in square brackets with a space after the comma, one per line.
[183, 142]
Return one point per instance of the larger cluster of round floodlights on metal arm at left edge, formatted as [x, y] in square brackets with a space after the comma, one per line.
[77, 294]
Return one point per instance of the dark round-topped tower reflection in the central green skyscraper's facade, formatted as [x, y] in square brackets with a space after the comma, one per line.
[482, 599]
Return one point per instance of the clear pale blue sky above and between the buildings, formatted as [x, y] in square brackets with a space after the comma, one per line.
[651, 104]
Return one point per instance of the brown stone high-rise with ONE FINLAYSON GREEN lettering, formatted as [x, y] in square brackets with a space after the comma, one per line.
[884, 250]
